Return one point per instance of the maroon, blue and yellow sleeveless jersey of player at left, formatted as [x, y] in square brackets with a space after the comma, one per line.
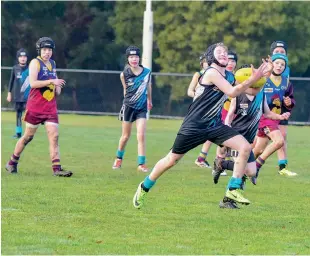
[42, 100]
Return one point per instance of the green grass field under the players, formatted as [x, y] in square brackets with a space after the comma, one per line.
[92, 212]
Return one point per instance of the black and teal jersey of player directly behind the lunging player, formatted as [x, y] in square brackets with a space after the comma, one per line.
[247, 115]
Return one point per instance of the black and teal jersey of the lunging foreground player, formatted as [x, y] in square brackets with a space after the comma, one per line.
[205, 111]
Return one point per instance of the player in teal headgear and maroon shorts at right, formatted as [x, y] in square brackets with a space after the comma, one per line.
[274, 90]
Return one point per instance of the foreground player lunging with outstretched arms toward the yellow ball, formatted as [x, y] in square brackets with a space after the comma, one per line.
[203, 122]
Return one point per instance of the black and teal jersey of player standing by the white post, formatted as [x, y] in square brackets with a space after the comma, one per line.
[136, 88]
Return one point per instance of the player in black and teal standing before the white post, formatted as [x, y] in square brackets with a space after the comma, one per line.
[136, 81]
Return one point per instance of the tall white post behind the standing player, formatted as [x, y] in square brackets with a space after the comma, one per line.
[147, 40]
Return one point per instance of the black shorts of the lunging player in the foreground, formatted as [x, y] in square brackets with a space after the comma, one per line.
[184, 143]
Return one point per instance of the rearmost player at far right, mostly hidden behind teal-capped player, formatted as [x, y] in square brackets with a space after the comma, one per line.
[281, 47]
